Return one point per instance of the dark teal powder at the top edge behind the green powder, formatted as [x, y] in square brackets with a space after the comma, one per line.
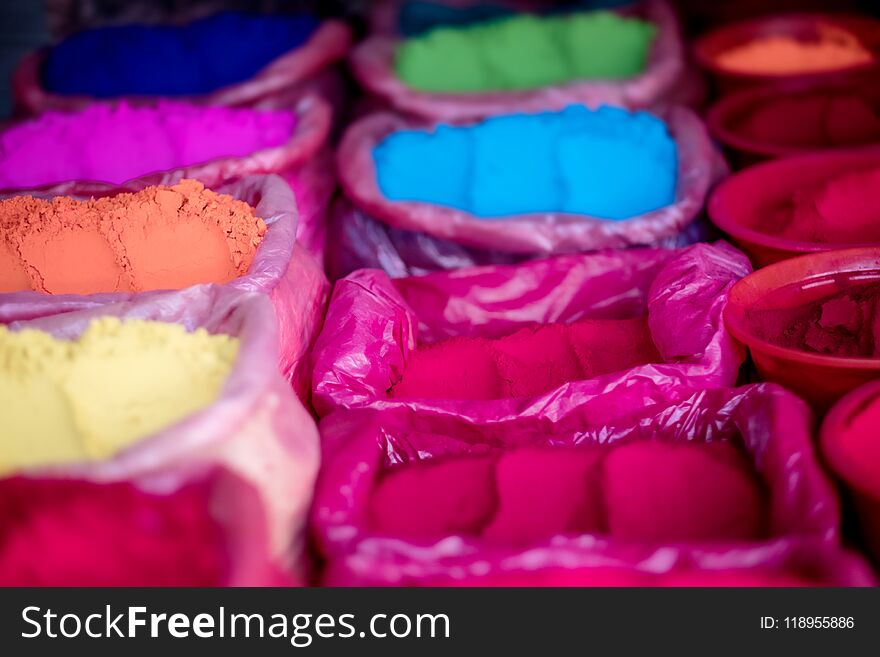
[418, 17]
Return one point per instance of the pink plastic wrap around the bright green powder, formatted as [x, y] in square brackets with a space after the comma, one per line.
[373, 65]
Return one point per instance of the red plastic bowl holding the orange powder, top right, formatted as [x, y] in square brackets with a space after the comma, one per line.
[798, 25]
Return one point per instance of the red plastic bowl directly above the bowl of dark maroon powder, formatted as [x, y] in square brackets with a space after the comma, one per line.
[738, 203]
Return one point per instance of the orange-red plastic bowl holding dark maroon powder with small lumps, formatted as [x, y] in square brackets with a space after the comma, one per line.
[819, 379]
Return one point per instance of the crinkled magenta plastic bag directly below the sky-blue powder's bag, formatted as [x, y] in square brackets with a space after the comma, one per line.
[373, 324]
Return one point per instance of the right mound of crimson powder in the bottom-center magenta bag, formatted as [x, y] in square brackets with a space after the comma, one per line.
[658, 491]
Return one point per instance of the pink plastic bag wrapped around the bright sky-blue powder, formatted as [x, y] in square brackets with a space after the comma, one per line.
[513, 238]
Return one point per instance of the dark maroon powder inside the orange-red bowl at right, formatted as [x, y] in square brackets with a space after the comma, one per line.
[846, 323]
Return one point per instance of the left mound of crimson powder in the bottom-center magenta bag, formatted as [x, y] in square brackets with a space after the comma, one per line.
[435, 499]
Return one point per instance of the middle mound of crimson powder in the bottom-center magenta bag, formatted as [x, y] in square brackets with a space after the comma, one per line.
[545, 491]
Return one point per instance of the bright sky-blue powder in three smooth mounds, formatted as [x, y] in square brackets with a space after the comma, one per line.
[608, 163]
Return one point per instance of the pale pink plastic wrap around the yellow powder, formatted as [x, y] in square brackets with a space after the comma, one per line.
[257, 440]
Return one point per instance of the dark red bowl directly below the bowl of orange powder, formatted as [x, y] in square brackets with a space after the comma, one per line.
[725, 118]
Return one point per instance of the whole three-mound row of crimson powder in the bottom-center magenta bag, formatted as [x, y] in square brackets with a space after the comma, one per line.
[641, 491]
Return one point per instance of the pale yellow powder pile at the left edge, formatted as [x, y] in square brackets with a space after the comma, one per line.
[87, 399]
